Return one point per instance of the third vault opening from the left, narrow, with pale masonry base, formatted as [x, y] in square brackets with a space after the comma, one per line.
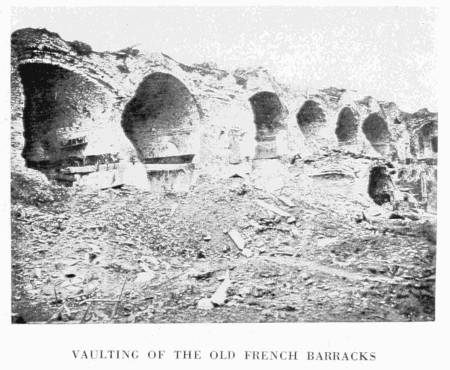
[269, 115]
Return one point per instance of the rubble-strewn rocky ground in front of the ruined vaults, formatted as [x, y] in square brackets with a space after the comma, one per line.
[227, 251]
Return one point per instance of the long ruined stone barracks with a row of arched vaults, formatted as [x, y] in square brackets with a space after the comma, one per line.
[103, 119]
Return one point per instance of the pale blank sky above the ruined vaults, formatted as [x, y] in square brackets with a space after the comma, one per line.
[389, 53]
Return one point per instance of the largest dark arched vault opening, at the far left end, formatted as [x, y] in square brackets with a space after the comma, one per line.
[60, 107]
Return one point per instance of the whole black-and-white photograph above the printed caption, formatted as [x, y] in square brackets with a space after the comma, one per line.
[223, 165]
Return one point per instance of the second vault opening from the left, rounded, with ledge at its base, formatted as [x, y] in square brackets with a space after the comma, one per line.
[161, 120]
